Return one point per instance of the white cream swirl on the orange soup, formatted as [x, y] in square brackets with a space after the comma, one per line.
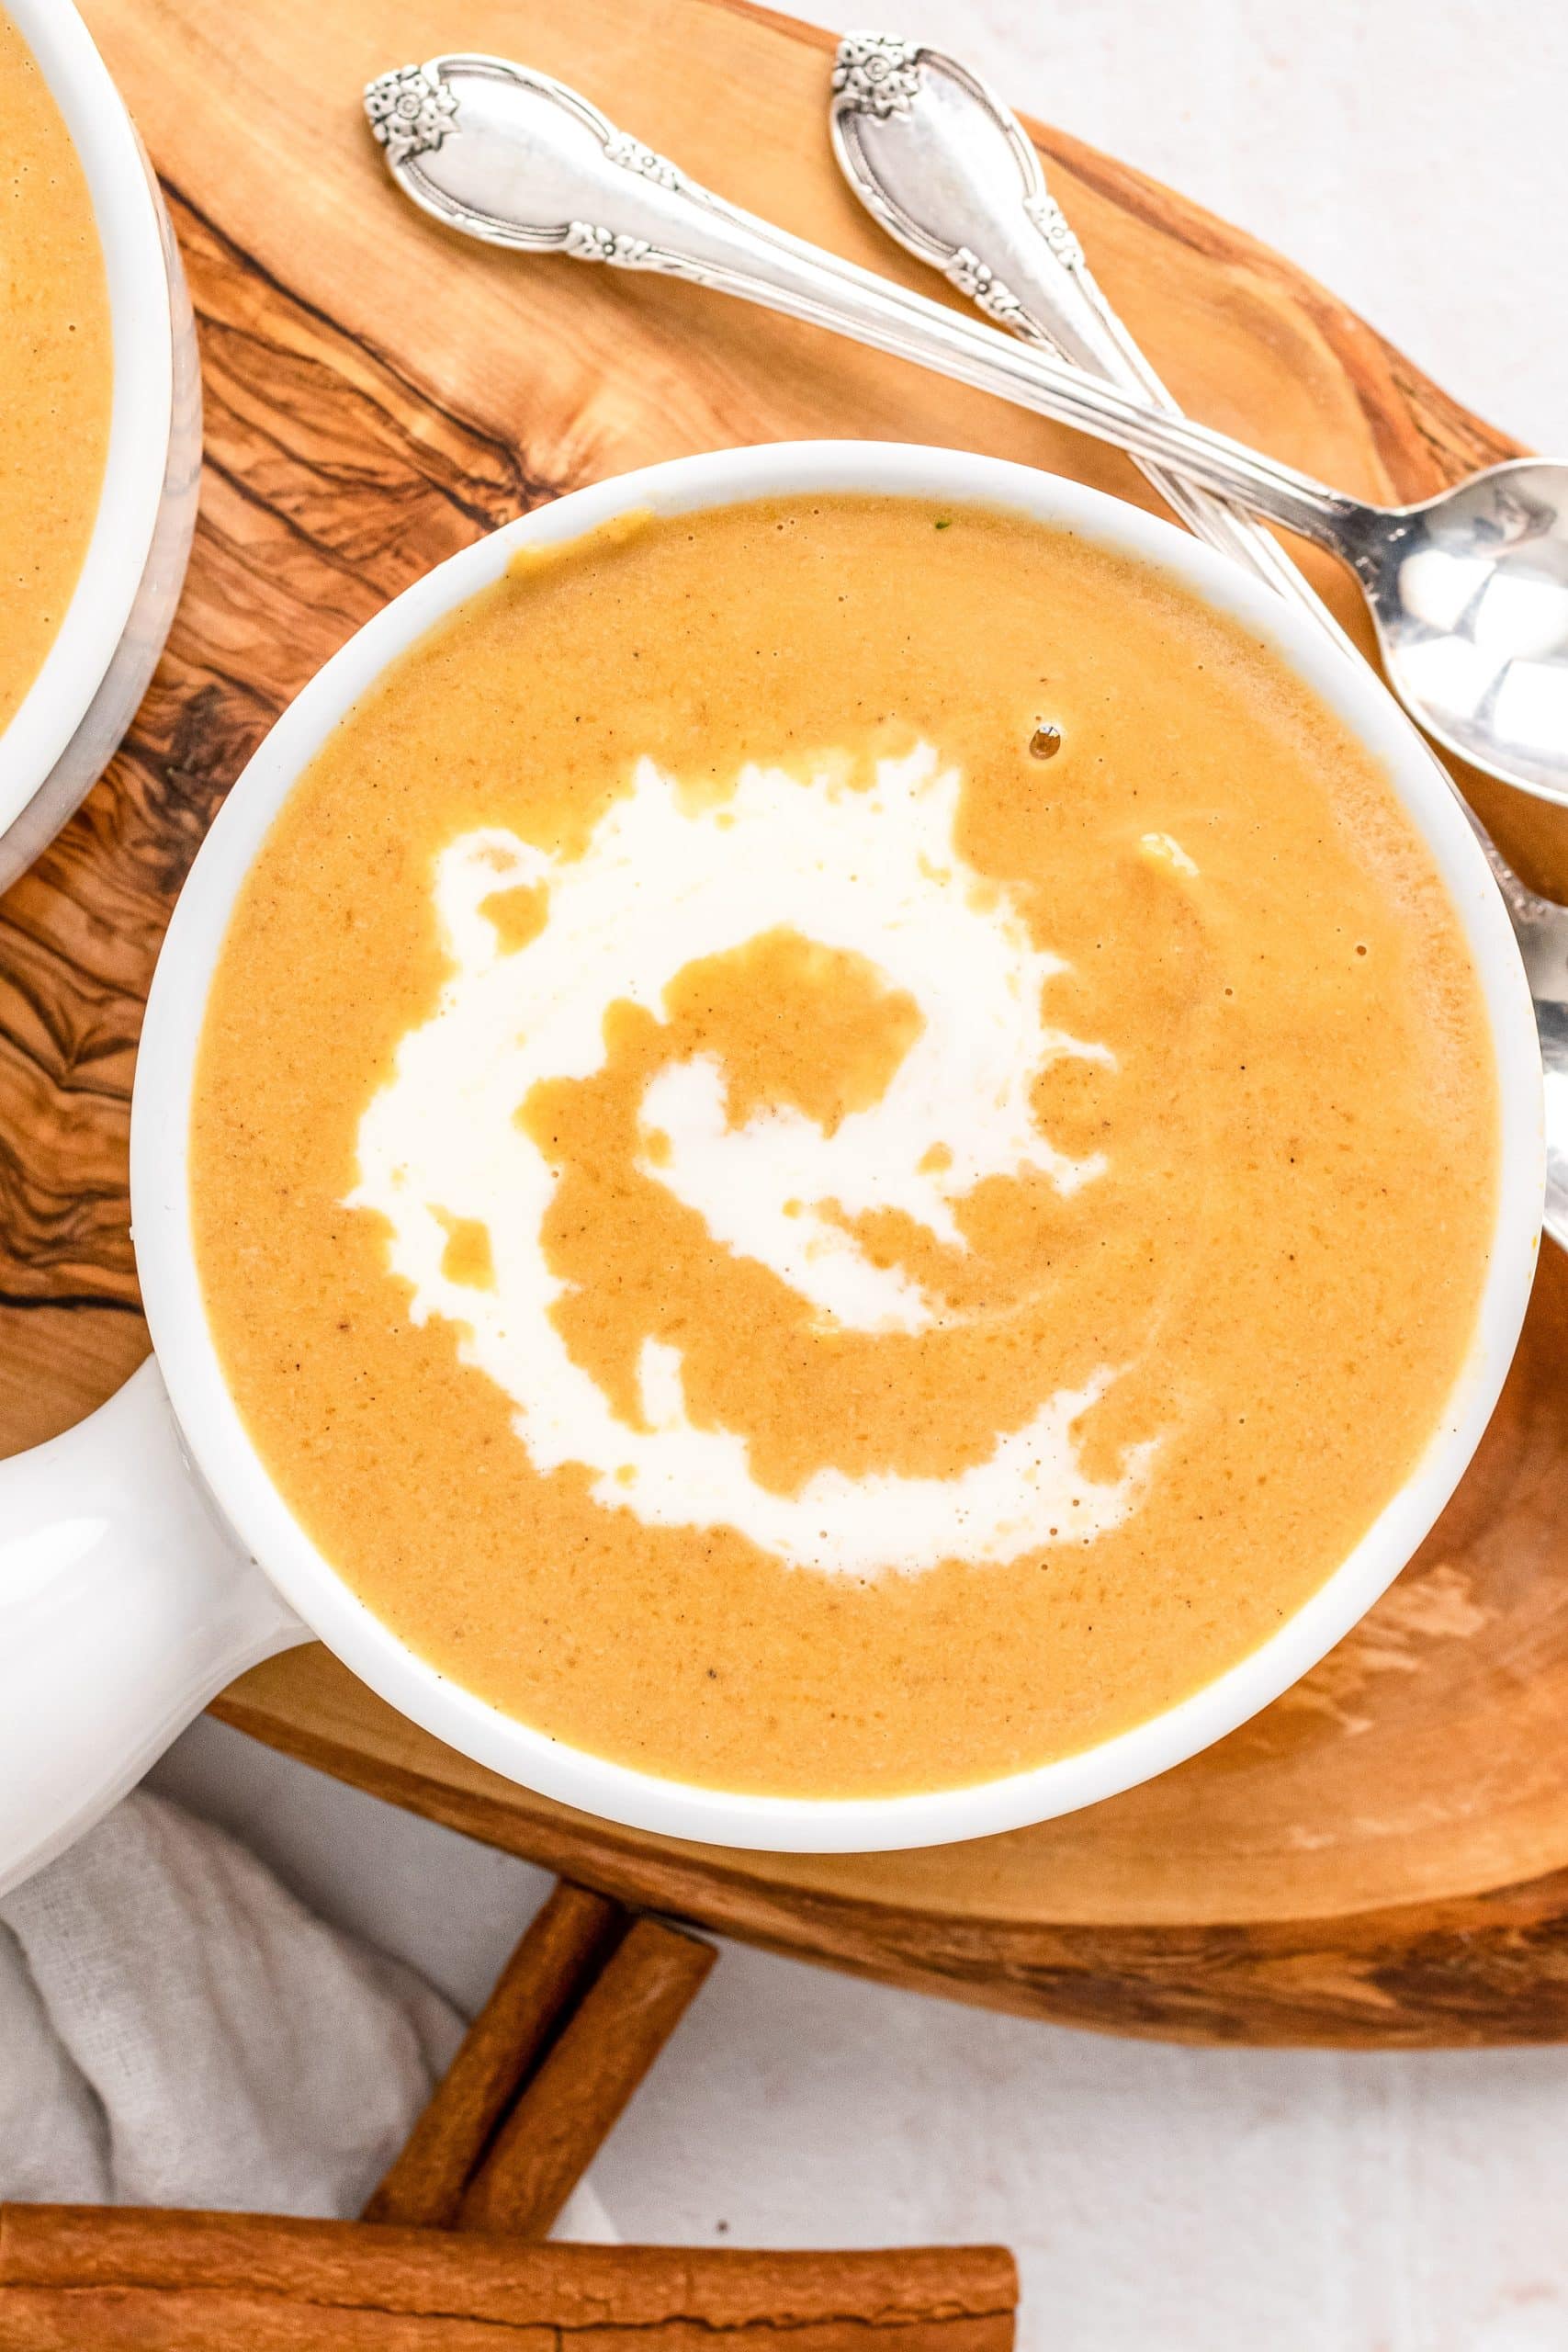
[831, 862]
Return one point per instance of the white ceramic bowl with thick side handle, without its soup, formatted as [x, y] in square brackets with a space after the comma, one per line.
[145, 1570]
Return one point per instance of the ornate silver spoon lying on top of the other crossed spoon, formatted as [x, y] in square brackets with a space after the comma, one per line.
[1470, 589]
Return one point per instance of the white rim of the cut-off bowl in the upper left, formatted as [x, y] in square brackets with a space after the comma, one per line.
[142, 399]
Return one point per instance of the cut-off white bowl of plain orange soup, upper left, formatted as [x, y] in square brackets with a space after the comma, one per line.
[100, 422]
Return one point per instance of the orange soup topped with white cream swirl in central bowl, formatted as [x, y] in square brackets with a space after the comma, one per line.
[840, 1147]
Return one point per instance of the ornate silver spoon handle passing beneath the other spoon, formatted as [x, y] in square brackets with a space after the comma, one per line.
[916, 121]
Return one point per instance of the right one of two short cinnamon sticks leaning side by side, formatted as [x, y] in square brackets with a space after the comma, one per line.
[584, 2083]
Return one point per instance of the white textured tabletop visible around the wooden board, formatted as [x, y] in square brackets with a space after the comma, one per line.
[1160, 2200]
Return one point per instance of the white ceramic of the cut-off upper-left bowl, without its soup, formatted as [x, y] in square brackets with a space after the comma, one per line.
[95, 674]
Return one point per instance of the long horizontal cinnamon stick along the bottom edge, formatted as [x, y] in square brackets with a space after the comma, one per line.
[192, 2283]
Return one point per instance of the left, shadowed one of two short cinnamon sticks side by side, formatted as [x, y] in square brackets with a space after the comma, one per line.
[532, 1993]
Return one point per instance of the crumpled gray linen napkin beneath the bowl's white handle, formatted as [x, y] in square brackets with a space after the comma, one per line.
[177, 2029]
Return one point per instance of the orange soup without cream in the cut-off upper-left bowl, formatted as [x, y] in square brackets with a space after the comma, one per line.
[55, 370]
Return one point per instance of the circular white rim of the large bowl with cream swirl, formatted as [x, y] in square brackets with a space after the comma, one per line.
[521, 1753]
